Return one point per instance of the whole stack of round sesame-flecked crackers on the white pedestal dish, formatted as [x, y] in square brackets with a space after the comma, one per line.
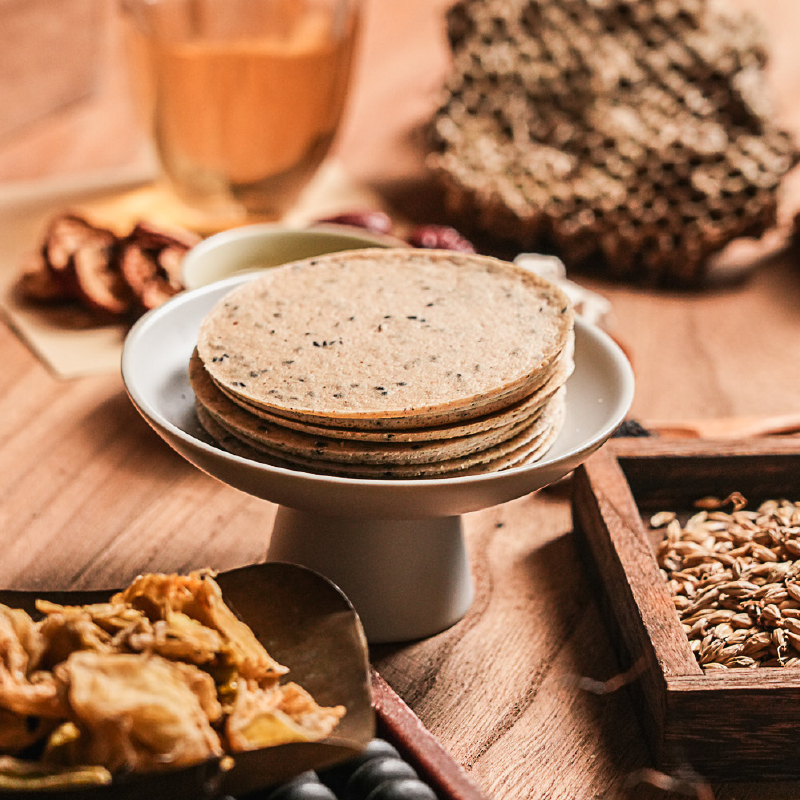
[387, 364]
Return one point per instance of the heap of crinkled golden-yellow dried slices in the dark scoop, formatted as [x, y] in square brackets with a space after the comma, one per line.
[144, 682]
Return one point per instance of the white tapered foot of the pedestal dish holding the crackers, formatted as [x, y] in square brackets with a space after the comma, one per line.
[407, 579]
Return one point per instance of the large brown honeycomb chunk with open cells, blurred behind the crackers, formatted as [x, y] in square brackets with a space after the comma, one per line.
[632, 134]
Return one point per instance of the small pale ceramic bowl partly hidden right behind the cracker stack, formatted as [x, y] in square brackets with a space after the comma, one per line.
[255, 247]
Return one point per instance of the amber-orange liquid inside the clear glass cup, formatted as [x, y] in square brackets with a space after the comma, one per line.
[248, 117]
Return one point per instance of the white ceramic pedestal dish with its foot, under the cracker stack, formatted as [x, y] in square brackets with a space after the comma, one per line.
[395, 547]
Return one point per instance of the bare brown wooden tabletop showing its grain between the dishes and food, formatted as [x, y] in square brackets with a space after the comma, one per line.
[90, 496]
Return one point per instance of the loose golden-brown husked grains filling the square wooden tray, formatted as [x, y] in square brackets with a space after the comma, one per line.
[735, 580]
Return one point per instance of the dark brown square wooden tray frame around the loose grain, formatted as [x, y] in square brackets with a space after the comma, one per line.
[739, 724]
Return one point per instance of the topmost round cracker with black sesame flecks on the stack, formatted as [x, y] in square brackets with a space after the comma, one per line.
[376, 338]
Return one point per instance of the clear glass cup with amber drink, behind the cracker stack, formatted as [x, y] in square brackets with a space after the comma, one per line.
[243, 97]
